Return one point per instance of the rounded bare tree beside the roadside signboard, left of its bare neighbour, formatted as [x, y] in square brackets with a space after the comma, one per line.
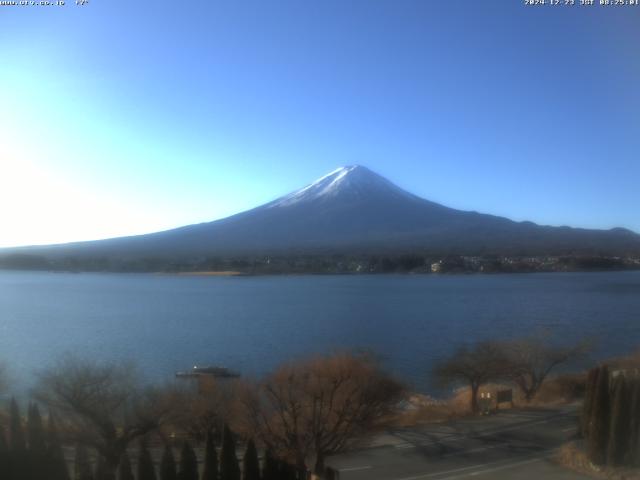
[477, 365]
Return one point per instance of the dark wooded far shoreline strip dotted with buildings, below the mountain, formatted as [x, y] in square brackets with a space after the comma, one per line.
[324, 263]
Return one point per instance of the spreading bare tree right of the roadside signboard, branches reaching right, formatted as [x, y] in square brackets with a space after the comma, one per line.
[530, 360]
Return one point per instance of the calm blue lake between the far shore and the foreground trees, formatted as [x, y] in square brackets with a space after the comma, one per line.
[167, 323]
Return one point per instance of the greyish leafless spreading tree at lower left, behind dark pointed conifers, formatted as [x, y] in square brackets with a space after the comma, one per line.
[103, 406]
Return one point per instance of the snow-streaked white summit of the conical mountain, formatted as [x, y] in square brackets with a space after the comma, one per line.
[352, 181]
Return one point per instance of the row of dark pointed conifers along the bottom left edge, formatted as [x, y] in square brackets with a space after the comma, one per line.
[31, 452]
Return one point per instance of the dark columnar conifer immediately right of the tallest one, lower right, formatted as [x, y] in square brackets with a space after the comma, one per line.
[619, 431]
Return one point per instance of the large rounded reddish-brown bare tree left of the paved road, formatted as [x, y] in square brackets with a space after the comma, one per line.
[309, 410]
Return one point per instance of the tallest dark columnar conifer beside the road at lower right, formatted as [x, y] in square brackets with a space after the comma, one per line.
[600, 420]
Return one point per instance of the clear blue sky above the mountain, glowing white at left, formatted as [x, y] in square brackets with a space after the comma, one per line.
[123, 117]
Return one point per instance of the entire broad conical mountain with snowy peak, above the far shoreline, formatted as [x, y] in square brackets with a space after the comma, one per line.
[352, 210]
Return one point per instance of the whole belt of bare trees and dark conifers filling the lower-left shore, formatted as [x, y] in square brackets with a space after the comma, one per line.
[110, 424]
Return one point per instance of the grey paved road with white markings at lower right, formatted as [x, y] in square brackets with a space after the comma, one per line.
[514, 444]
